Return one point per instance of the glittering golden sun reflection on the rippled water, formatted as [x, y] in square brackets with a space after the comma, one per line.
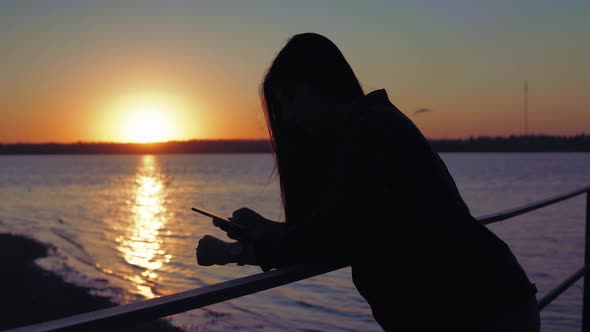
[141, 245]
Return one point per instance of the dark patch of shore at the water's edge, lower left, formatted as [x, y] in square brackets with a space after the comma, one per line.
[32, 295]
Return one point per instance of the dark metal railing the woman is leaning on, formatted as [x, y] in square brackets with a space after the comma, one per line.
[142, 311]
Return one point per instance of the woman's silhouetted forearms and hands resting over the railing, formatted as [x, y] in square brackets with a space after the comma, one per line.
[270, 244]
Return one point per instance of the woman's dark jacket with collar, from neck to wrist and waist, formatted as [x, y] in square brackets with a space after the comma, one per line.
[366, 189]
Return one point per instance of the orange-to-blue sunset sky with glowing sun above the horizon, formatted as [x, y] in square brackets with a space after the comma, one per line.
[175, 70]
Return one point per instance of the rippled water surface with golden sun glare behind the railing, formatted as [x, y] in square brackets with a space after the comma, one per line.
[123, 226]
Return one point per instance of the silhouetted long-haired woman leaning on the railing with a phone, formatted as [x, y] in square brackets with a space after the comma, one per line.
[361, 186]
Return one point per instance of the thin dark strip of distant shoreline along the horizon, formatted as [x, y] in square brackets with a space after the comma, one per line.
[580, 143]
